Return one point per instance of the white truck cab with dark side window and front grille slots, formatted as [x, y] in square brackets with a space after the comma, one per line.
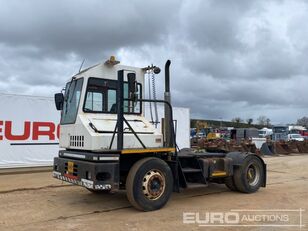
[89, 114]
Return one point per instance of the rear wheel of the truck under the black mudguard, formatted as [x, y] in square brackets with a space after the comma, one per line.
[249, 177]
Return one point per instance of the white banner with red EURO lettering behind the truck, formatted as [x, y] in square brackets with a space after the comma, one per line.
[29, 130]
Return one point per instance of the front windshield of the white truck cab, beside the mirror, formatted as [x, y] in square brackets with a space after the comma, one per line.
[71, 101]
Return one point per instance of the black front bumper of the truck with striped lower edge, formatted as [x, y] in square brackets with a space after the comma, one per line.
[92, 175]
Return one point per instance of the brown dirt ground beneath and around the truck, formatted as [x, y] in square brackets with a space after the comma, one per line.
[36, 201]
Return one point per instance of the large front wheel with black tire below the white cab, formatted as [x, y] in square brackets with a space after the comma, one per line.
[142, 181]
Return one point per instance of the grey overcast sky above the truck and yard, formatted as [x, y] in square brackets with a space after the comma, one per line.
[229, 58]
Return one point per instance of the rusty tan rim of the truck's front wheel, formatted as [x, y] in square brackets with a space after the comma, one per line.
[153, 185]
